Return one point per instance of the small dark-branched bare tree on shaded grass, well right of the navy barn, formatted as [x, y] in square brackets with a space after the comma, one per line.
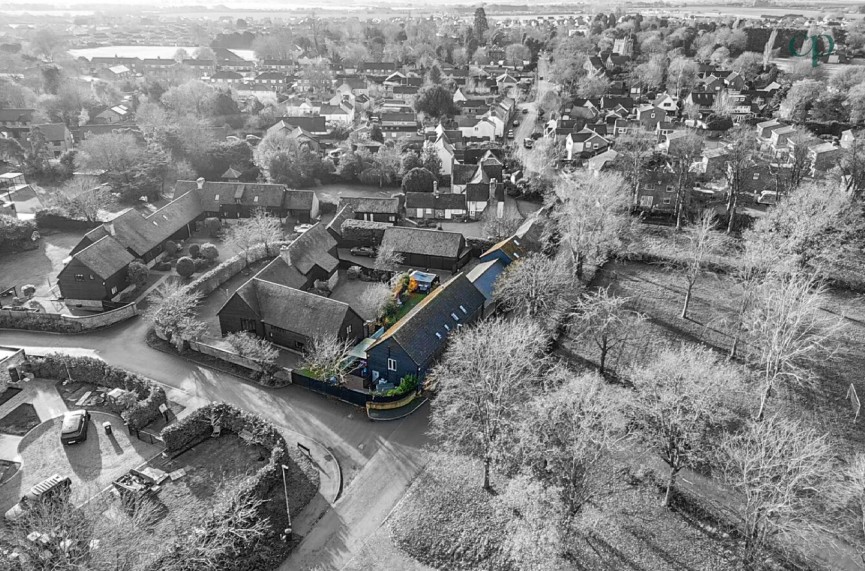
[605, 320]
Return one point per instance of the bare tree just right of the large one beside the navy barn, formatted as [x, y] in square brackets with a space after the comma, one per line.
[569, 433]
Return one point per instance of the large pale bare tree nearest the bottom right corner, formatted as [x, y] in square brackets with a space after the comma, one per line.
[776, 466]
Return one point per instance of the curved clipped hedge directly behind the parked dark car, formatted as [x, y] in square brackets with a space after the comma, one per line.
[92, 370]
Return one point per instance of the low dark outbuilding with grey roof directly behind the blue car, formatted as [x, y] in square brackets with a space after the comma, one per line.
[425, 248]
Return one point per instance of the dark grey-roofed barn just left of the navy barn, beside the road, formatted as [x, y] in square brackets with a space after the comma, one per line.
[289, 317]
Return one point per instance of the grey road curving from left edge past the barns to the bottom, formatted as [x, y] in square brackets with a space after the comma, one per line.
[379, 460]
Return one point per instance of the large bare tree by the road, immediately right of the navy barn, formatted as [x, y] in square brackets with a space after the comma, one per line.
[482, 378]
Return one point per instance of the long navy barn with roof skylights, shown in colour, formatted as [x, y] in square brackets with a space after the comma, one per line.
[412, 345]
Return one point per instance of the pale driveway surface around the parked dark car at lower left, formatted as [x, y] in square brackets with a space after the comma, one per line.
[92, 465]
